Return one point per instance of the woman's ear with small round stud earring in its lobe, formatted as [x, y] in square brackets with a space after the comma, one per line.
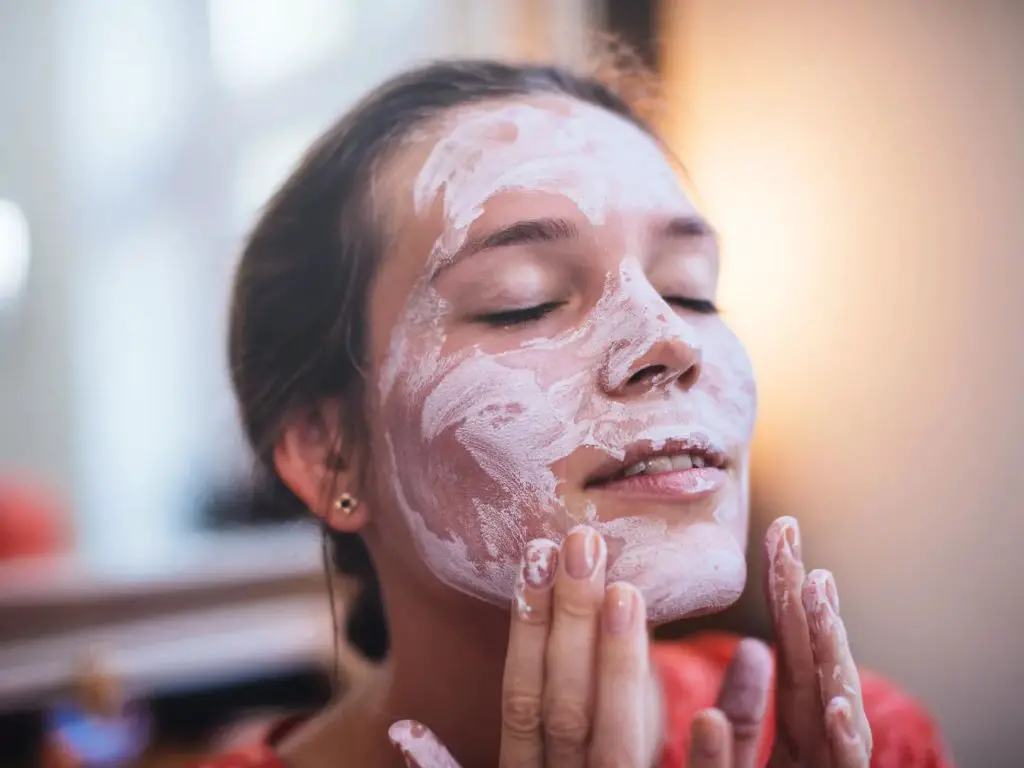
[308, 461]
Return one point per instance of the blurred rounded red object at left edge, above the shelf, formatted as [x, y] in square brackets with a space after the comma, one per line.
[33, 523]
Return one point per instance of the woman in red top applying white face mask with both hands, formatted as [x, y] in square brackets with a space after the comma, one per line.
[476, 334]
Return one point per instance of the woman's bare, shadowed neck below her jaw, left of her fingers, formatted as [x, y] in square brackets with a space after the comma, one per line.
[445, 670]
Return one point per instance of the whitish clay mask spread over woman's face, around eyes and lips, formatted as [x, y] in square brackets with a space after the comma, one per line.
[474, 441]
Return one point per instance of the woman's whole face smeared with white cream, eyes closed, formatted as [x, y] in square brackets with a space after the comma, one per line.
[545, 354]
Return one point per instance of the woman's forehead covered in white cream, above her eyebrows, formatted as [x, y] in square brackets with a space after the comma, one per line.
[553, 145]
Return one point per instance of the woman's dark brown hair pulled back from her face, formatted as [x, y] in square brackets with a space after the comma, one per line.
[298, 316]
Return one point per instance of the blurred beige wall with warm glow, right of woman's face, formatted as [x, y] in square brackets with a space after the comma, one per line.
[865, 163]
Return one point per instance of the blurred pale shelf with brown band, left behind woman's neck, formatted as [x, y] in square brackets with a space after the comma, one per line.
[234, 608]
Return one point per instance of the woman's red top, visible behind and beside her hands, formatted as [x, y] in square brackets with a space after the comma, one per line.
[692, 673]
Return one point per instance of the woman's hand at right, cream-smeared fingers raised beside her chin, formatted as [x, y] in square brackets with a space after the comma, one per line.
[821, 719]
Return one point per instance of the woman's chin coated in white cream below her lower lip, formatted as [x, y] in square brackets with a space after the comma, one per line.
[681, 574]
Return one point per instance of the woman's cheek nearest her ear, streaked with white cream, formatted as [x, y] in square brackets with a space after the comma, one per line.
[470, 455]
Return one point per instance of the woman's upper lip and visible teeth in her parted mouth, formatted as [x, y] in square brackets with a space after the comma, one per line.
[677, 456]
